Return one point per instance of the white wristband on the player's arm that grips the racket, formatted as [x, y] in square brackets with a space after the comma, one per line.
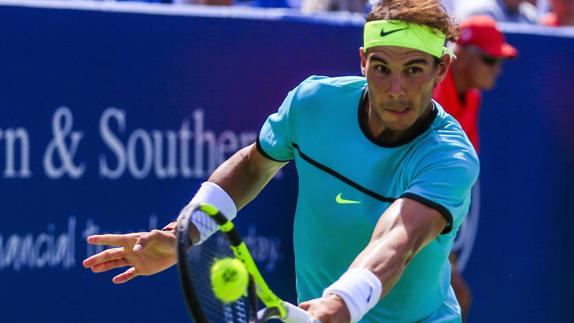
[360, 289]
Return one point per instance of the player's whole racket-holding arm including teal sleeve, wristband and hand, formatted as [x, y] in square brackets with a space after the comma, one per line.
[434, 203]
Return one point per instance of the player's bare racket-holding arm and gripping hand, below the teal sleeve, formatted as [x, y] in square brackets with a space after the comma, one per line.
[402, 231]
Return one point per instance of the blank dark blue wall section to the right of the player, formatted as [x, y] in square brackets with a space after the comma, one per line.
[520, 266]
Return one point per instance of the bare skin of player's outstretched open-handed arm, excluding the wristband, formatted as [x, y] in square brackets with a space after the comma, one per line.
[242, 176]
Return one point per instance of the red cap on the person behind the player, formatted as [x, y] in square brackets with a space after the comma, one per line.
[482, 32]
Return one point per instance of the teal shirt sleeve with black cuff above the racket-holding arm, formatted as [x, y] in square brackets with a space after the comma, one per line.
[443, 181]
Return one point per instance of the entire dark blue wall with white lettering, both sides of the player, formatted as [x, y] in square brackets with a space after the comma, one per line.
[94, 103]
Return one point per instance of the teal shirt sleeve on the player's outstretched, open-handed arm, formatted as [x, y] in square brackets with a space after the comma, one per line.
[275, 140]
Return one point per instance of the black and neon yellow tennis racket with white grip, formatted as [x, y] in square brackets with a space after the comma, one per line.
[195, 265]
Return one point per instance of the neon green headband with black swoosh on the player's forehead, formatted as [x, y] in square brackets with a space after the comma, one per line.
[403, 34]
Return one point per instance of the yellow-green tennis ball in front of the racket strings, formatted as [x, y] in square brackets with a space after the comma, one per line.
[229, 279]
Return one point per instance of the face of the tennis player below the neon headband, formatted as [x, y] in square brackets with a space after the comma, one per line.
[400, 83]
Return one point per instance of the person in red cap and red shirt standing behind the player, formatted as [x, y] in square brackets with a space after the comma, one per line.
[480, 50]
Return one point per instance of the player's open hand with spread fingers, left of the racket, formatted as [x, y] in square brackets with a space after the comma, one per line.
[146, 253]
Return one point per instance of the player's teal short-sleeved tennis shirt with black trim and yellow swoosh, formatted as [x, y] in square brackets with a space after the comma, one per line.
[347, 181]
